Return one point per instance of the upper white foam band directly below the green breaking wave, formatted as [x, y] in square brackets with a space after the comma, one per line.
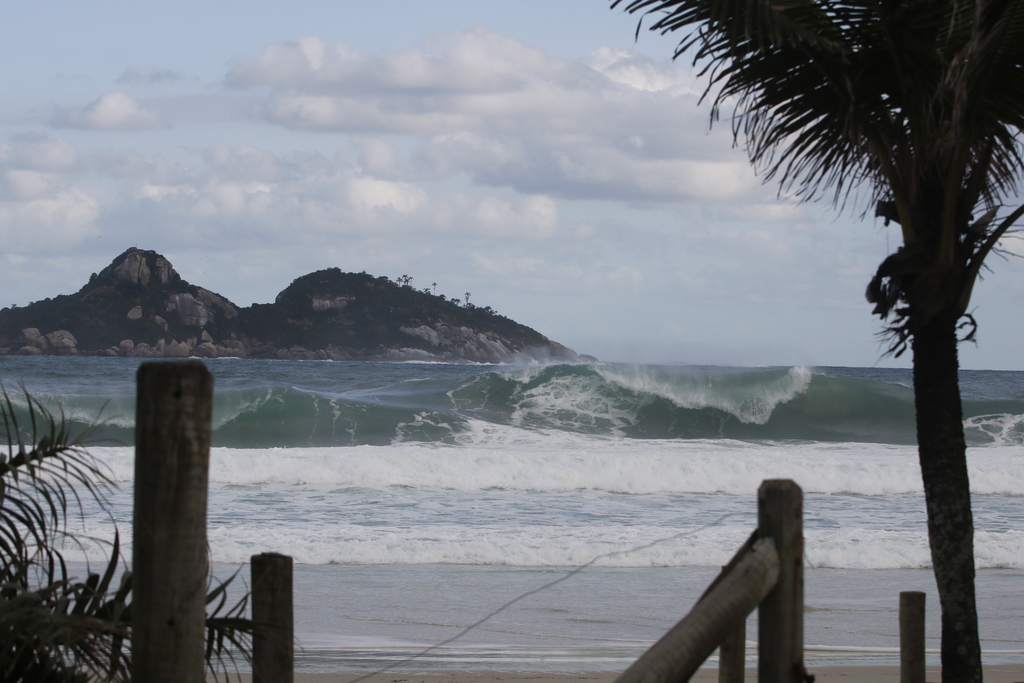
[511, 462]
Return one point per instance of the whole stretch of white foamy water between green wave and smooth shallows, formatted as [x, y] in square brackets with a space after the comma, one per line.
[511, 497]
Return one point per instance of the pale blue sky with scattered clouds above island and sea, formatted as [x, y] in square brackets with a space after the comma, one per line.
[534, 154]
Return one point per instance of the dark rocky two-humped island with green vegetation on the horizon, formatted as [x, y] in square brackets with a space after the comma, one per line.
[141, 307]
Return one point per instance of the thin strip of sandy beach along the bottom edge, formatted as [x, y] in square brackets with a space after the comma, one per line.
[994, 674]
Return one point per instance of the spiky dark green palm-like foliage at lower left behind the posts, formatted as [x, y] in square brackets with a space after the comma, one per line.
[53, 626]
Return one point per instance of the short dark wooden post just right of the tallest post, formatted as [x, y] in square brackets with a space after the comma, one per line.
[274, 651]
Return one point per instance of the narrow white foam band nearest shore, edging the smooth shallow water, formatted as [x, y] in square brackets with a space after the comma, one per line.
[573, 546]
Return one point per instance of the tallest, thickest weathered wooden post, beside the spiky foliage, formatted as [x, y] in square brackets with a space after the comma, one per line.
[173, 461]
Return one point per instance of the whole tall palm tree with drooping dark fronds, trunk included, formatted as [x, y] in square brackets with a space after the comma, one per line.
[921, 103]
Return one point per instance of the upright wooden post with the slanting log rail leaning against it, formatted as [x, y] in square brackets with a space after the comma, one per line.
[781, 616]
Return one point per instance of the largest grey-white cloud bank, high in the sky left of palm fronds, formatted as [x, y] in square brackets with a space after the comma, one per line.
[620, 126]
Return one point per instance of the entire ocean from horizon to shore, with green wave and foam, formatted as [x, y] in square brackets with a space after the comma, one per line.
[419, 499]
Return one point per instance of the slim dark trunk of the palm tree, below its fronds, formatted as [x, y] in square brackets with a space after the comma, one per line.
[948, 494]
